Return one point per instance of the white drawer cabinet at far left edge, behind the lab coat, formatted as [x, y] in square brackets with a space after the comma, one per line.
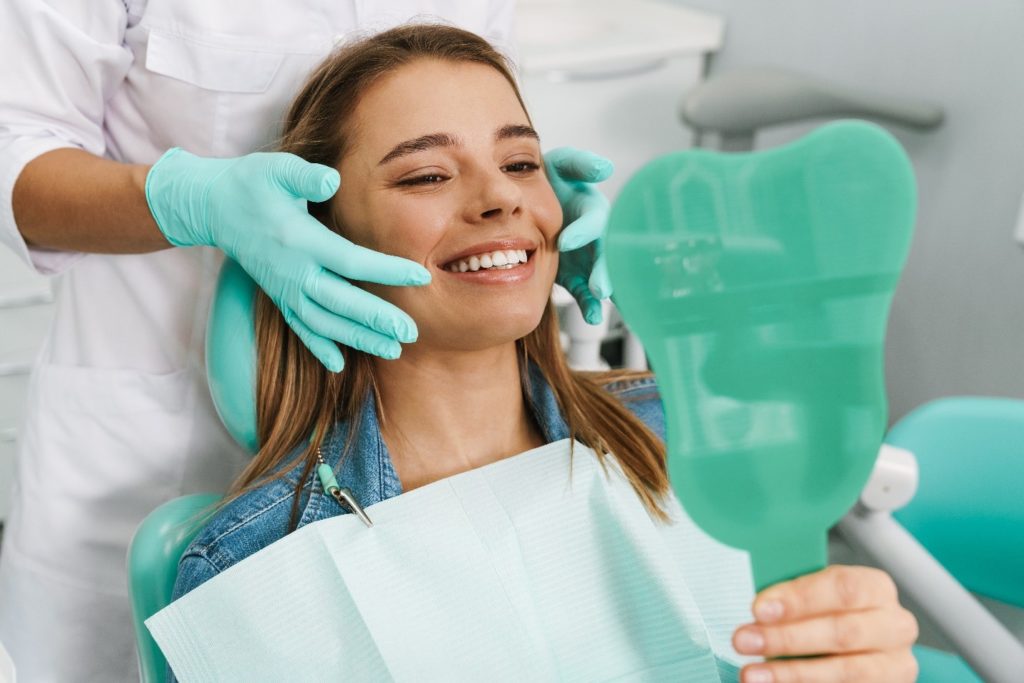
[25, 316]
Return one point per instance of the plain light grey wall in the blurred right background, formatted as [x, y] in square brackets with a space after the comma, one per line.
[958, 320]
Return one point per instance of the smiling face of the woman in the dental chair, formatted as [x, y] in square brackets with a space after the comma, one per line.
[444, 168]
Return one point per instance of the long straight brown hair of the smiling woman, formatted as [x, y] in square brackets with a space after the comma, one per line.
[298, 401]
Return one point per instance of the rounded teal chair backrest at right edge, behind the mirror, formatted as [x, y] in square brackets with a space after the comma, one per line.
[969, 509]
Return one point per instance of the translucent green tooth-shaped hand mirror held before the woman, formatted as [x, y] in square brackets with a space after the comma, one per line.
[760, 285]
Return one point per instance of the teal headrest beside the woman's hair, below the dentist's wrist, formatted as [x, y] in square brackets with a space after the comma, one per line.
[231, 354]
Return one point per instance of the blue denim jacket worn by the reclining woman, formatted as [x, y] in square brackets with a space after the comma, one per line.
[262, 517]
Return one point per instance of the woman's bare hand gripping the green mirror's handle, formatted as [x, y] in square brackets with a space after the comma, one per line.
[849, 616]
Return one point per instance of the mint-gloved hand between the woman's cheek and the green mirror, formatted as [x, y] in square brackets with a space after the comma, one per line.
[581, 268]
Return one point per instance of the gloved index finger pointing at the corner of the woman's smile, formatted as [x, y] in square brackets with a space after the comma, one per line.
[355, 263]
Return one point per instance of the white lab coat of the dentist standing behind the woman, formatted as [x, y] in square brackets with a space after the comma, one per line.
[119, 417]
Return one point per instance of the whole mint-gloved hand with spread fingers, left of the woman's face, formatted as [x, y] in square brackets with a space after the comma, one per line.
[254, 209]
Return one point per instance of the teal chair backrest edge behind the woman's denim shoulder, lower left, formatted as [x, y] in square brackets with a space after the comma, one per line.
[153, 567]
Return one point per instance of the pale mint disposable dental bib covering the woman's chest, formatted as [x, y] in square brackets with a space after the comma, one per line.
[520, 571]
